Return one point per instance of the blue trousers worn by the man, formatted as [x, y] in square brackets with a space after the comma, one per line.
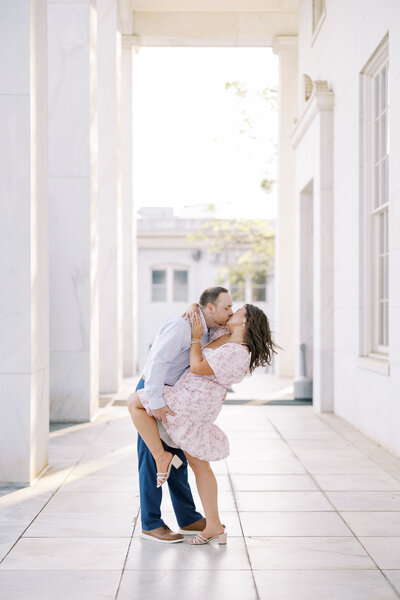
[151, 496]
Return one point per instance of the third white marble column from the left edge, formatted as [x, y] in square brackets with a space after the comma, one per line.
[110, 199]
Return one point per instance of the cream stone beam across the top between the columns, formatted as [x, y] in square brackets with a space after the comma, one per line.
[208, 22]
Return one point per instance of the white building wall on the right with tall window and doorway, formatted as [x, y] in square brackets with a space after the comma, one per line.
[347, 210]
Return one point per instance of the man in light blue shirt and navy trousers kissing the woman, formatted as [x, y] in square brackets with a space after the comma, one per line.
[167, 360]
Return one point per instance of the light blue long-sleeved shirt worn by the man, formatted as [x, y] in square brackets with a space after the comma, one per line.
[169, 357]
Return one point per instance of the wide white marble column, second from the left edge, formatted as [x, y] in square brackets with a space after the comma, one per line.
[73, 210]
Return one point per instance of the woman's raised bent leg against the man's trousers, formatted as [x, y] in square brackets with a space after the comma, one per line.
[148, 431]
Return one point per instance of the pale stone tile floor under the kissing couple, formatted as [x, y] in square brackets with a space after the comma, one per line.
[311, 505]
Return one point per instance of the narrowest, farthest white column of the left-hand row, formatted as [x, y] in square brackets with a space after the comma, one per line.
[129, 222]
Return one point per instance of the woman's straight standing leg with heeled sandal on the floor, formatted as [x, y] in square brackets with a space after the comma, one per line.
[208, 491]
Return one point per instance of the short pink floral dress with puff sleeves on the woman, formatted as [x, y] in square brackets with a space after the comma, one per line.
[197, 400]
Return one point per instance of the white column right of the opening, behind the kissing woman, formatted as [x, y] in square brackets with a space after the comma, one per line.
[286, 49]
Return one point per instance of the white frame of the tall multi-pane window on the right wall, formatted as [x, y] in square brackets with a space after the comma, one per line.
[373, 354]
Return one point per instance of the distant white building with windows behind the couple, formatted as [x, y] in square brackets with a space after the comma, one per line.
[173, 271]
